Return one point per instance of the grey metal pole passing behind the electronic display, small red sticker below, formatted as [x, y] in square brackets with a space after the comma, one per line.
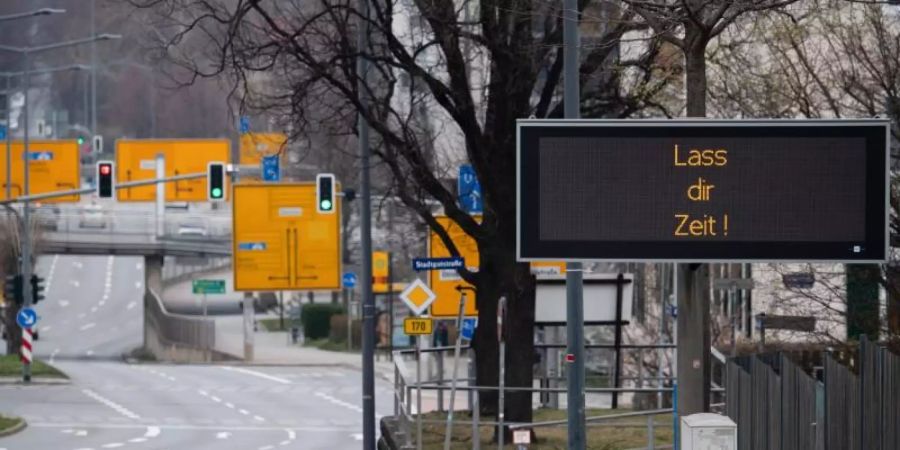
[574, 286]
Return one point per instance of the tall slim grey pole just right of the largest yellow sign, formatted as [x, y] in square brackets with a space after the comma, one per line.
[368, 302]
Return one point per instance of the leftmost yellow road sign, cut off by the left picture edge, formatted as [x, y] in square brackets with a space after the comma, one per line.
[53, 166]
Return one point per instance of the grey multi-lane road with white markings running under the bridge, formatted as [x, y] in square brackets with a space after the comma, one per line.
[92, 316]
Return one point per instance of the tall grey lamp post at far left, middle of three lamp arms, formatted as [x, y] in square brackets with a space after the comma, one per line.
[26, 53]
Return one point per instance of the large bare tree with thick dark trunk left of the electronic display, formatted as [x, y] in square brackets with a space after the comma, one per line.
[449, 79]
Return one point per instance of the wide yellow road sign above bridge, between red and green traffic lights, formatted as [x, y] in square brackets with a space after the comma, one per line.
[136, 160]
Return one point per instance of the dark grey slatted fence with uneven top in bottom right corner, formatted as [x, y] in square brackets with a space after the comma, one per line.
[778, 406]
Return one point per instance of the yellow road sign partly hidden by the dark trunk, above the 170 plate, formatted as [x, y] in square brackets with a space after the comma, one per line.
[444, 282]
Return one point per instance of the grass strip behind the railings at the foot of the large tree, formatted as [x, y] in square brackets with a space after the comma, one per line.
[617, 434]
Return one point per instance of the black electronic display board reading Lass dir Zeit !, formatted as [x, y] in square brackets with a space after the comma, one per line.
[703, 190]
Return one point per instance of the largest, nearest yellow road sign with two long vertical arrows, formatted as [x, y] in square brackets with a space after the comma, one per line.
[281, 242]
